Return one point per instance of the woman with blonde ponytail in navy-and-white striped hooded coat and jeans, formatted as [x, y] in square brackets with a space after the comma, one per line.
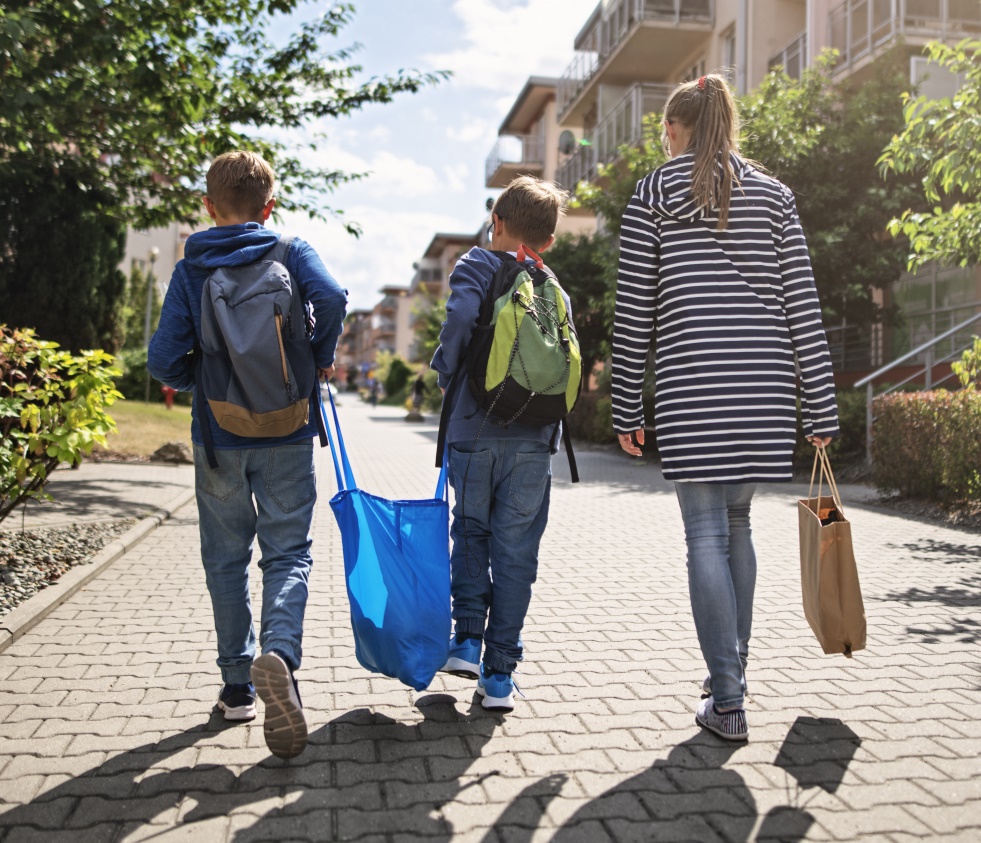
[714, 271]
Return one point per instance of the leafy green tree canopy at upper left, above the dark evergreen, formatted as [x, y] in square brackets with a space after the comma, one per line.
[136, 98]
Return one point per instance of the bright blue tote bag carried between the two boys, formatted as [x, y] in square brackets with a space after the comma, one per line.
[397, 570]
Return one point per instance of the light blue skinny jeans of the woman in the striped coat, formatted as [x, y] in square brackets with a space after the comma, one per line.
[721, 579]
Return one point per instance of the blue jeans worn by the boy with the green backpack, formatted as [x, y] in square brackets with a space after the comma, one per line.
[505, 494]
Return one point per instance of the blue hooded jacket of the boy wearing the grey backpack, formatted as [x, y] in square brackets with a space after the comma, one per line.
[169, 359]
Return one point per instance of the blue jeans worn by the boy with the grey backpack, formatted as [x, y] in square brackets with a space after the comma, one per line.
[282, 482]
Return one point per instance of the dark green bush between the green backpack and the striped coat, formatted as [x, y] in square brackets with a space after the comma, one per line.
[586, 266]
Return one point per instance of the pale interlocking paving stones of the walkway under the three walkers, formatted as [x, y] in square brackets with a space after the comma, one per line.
[107, 734]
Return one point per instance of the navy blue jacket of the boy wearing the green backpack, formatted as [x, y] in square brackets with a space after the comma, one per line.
[469, 284]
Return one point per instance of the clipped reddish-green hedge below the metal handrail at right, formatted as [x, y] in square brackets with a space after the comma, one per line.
[928, 445]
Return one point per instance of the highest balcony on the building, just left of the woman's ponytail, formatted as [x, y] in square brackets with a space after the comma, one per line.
[628, 41]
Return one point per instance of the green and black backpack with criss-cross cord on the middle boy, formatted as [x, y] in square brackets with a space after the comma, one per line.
[523, 362]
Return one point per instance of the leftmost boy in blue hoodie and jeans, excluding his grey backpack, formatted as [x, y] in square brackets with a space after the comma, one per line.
[263, 487]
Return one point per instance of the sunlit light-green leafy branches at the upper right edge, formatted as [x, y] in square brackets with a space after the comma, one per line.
[938, 143]
